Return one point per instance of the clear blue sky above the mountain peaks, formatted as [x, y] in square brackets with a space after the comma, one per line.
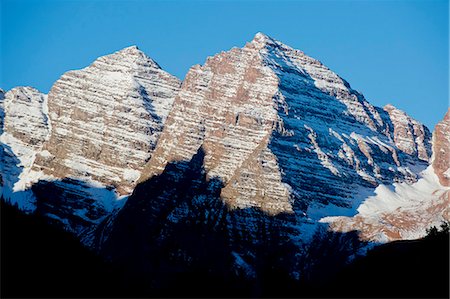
[392, 51]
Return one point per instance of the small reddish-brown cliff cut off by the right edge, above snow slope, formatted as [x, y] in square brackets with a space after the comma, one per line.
[441, 150]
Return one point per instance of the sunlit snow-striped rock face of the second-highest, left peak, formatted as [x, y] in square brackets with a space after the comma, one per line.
[106, 119]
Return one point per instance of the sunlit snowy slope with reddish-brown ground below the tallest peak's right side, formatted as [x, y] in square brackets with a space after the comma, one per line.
[399, 211]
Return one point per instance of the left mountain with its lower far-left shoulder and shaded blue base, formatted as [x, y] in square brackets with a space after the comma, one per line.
[100, 126]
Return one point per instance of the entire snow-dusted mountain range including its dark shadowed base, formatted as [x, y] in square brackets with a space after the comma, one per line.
[239, 169]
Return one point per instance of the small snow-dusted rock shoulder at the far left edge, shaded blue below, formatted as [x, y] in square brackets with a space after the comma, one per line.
[25, 129]
